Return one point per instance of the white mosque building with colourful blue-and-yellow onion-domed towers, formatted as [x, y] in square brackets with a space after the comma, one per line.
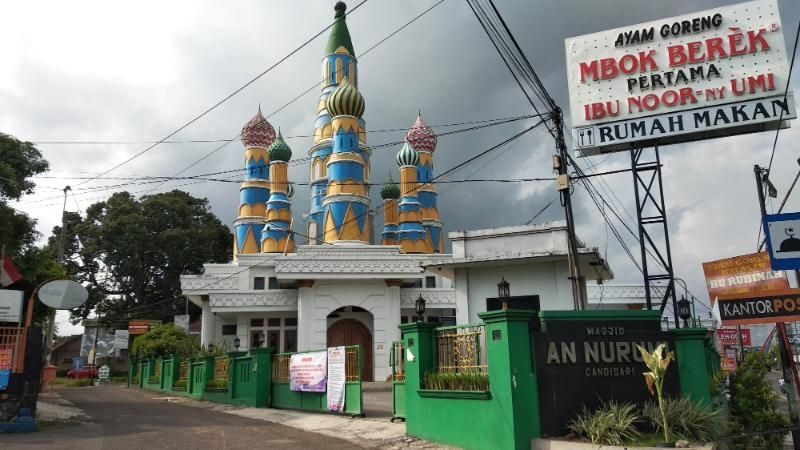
[329, 281]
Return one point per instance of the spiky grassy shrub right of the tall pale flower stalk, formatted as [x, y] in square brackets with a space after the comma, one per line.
[687, 420]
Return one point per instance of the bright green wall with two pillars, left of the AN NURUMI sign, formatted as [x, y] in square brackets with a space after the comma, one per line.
[509, 419]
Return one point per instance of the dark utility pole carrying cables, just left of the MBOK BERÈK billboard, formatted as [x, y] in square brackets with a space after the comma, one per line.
[563, 185]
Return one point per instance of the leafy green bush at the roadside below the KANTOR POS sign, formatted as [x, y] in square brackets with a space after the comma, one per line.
[753, 404]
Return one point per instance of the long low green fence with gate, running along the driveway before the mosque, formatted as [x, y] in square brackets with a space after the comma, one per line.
[256, 378]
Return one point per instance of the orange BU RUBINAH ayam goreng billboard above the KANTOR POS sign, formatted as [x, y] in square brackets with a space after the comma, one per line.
[742, 274]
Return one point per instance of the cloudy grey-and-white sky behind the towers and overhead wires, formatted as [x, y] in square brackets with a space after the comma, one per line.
[117, 76]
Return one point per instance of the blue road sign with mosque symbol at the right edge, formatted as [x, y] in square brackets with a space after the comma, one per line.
[783, 245]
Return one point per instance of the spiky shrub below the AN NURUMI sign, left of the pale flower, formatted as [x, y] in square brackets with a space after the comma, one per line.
[611, 424]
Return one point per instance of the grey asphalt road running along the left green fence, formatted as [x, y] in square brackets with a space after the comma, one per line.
[127, 418]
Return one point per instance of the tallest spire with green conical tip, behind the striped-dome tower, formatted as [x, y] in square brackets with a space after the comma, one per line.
[338, 64]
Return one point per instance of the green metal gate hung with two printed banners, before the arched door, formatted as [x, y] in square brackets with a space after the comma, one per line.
[283, 397]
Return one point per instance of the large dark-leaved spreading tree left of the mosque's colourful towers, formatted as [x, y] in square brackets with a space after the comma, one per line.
[130, 253]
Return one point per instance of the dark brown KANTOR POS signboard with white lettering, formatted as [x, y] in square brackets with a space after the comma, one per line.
[759, 307]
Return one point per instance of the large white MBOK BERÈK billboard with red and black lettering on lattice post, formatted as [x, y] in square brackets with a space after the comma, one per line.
[713, 73]
